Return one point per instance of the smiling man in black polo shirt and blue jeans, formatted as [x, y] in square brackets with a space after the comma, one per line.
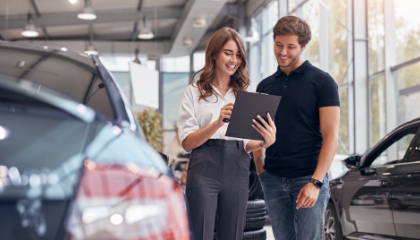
[294, 175]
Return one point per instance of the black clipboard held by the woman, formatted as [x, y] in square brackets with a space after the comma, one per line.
[247, 106]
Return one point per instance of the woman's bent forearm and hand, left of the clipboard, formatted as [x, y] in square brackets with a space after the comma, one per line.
[197, 138]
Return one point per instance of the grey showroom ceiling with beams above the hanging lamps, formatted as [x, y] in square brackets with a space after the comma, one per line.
[118, 23]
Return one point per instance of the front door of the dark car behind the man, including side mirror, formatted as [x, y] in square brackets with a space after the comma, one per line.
[367, 191]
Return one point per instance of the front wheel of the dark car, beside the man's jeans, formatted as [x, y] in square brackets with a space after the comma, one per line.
[332, 228]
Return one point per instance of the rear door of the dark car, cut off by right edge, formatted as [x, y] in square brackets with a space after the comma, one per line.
[405, 196]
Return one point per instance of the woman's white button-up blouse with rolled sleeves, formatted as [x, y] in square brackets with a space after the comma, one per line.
[195, 115]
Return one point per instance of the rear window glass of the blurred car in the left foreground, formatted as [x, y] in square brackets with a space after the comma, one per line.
[64, 72]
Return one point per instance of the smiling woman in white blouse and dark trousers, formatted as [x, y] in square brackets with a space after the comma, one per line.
[218, 167]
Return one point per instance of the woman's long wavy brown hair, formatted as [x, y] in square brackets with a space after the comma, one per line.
[239, 81]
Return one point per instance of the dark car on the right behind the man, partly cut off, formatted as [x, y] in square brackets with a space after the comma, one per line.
[379, 197]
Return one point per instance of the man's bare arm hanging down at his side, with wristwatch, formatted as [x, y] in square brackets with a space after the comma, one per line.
[329, 118]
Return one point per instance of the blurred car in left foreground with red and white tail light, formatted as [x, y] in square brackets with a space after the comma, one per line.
[74, 163]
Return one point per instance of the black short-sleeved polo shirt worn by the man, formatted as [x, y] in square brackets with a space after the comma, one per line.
[298, 140]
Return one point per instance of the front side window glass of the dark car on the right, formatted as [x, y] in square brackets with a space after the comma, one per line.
[394, 150]
